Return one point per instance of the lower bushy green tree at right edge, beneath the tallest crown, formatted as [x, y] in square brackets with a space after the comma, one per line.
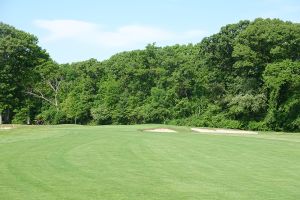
[283, 82]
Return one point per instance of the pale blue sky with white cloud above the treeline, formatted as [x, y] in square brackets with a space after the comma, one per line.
[73, 30]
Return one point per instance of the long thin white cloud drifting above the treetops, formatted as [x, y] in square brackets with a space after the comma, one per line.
[124, 36]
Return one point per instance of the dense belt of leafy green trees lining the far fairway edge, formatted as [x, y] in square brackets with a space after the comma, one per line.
[245, 76]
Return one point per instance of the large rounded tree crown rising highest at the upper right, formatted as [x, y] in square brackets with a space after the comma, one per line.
[265, 41]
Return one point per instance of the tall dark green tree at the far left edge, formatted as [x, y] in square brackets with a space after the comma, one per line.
[19, 55]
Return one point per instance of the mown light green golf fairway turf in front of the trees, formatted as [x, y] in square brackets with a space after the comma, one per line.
[121, 162]
